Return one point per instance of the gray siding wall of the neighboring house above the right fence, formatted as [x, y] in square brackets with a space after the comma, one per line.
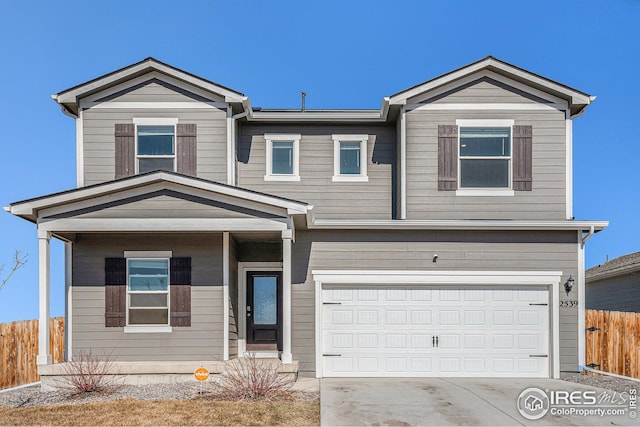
[621, 293]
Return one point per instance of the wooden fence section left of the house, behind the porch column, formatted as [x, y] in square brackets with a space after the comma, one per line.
[19, 348]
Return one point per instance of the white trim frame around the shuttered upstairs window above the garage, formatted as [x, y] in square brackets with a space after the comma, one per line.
[485, 191]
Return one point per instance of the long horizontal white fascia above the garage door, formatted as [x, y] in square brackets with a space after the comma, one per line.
[455, 225]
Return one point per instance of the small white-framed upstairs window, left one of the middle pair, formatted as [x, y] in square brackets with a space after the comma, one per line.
[282, 157]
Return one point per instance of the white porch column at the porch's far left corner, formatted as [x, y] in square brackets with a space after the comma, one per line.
[44, 356]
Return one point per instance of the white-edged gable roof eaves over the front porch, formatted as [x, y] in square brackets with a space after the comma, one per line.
[28, 209]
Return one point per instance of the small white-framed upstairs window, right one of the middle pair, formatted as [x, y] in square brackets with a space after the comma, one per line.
[350, 158]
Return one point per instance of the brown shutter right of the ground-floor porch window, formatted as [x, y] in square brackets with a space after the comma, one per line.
[180, 289]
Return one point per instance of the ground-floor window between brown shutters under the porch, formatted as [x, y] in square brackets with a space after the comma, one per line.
[147, 291]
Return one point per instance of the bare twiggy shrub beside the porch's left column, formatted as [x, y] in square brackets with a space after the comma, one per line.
[88, 373]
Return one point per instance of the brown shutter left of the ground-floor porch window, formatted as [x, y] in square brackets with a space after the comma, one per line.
[115, 273]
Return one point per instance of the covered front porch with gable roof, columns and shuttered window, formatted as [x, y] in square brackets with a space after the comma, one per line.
[226, 232]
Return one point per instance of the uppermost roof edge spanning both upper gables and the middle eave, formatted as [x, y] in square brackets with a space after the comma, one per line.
[544, 89]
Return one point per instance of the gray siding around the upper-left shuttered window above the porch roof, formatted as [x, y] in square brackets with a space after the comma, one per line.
[99, 140]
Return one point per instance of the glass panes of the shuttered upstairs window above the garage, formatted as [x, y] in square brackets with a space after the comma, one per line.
[485, 157]
